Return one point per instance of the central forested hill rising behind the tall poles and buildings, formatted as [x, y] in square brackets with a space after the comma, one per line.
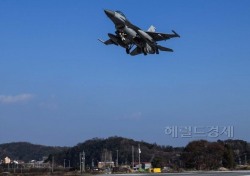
[95, 148]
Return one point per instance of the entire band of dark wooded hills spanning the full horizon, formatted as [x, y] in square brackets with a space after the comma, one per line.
[199, 154]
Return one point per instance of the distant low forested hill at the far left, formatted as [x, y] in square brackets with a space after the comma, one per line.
[26, 151]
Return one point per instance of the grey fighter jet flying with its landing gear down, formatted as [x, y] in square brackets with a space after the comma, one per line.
[128, 35]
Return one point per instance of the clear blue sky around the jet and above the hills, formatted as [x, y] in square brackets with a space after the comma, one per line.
[60, 86]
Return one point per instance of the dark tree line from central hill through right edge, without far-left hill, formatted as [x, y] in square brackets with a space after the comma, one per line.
[199, 155]
